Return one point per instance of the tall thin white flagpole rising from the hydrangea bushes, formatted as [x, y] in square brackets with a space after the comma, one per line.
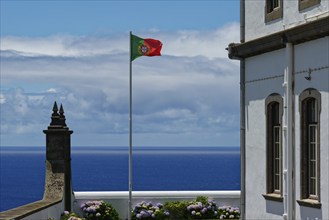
[130, 131]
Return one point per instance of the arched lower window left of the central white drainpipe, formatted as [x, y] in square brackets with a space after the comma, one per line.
[274, 110]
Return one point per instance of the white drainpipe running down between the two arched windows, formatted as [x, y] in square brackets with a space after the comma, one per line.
[288, 196]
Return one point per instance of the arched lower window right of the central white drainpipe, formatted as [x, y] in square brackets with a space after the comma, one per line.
[310, 107]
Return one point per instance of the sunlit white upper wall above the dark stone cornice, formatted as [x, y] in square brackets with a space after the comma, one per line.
[255, 17]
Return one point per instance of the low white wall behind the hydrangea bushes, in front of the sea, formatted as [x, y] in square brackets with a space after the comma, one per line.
[119, 199]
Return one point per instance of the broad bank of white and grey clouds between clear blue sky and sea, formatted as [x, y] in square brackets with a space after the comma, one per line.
[192, 90]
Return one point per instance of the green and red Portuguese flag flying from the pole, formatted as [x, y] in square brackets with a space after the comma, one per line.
[144, 47]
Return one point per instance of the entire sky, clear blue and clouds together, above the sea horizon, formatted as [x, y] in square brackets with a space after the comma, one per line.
[76, 53]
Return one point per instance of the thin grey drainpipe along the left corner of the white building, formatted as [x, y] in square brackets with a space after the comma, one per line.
[242, 117]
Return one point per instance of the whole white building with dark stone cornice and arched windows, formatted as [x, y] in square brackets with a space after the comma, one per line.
[284, 68]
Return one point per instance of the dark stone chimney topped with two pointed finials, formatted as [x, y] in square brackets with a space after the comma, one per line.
[58, 184]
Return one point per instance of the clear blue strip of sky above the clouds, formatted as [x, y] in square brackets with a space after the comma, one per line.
[42, 18]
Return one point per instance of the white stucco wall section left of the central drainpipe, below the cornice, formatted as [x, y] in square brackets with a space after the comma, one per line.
[257, 68]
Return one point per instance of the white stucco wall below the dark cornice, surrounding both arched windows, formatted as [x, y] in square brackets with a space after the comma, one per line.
[312, 55]
